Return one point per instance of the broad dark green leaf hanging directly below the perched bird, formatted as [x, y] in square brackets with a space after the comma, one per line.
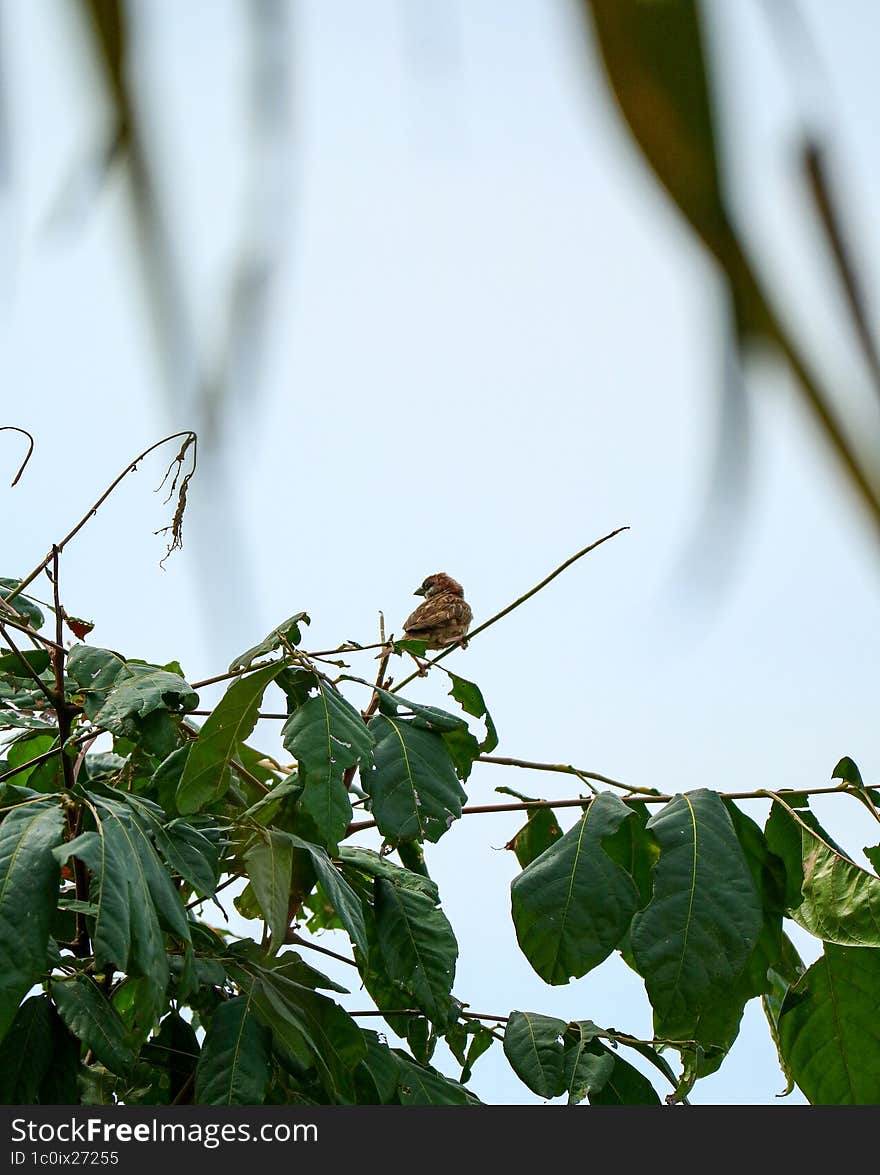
[412, 782]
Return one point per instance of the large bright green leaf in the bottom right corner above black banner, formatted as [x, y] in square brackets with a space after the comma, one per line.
[829, 1030]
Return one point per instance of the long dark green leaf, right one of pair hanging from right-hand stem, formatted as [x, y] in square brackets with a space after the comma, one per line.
[694, 939]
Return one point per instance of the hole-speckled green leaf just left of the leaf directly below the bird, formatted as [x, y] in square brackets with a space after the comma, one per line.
[326, 735]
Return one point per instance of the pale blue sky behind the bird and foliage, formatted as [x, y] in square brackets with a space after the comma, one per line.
[493, 341]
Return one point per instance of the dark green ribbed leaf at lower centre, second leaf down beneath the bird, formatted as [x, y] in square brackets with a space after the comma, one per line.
[418, 945]
